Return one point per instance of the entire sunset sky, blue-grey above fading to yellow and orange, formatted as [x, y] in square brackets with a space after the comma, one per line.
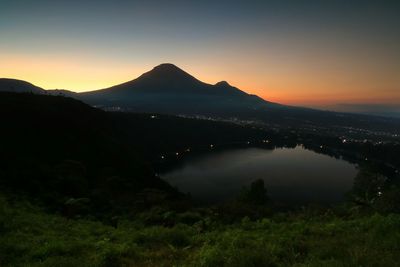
[294, 52]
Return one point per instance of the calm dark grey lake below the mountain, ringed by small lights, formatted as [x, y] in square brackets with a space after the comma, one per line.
[291, 176]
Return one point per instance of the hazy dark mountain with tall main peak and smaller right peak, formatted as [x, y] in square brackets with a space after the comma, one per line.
[168, 89]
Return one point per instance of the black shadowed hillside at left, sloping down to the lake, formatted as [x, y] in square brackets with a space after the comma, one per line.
[57, 148]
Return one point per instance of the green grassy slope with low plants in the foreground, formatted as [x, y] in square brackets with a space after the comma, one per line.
[31, 237]
